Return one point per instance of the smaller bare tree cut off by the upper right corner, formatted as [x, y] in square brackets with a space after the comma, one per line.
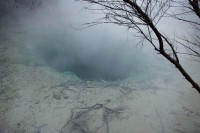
[184, 9]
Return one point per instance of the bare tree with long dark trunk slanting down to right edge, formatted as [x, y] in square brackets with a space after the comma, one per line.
[142, 16]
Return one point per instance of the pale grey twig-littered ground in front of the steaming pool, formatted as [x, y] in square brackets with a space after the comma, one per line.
[34, 98]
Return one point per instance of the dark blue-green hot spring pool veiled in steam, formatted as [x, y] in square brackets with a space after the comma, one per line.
[89, 59]
